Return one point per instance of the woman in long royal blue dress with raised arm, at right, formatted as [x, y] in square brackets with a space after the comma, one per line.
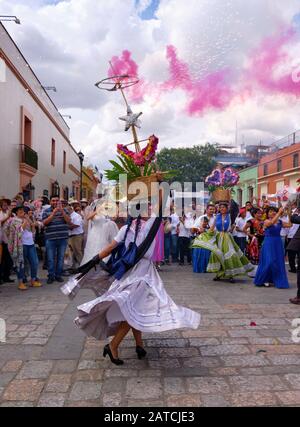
[271, 268]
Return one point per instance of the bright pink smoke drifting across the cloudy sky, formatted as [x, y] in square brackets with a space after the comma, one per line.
[218, 89]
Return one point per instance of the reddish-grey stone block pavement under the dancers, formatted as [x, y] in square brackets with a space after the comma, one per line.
[47, 361]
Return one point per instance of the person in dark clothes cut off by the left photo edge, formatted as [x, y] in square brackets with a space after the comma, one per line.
[6, 262]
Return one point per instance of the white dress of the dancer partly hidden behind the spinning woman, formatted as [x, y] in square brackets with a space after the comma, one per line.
[101, 232]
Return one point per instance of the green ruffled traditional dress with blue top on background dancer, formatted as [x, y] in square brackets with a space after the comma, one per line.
[226, 259]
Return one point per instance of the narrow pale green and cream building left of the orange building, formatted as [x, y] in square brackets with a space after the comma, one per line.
[246, 190]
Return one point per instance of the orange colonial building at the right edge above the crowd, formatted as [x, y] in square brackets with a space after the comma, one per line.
[279, 168]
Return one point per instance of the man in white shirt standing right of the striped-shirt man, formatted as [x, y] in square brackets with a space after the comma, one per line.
[76, 236]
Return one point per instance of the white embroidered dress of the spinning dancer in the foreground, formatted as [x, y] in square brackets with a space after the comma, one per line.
[138, 298]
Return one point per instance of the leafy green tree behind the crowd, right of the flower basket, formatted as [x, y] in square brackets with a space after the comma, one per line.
[192, 164]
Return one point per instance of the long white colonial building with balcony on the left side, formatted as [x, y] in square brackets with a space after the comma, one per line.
[36, 155]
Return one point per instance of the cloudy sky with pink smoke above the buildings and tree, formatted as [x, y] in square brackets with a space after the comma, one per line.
[205, 67]
